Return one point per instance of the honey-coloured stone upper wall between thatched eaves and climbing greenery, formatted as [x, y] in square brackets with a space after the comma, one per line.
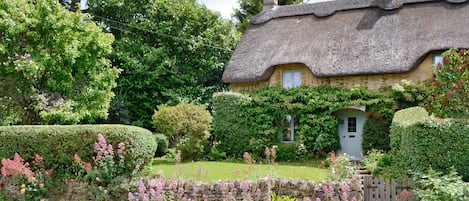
[374, 82]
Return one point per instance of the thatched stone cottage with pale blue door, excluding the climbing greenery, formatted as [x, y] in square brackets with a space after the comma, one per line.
[346, 43]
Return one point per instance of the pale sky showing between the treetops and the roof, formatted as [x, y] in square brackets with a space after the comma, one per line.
[226, 7]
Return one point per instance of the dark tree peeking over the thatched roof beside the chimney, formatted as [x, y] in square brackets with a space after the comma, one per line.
[249, 8]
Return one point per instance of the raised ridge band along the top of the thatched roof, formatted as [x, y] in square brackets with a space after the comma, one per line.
[327, 8]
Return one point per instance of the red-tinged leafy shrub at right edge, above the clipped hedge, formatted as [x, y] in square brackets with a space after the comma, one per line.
[451, 85]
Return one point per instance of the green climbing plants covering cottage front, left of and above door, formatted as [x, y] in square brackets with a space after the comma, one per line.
[250, 121]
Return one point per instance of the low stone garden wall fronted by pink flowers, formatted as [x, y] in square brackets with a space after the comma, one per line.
[249, 190]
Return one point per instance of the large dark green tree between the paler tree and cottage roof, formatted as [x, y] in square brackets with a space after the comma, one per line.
[171, 51]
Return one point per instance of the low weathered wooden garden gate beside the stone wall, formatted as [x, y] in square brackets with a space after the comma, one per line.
[377, 189]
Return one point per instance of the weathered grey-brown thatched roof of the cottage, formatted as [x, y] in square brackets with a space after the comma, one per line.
[349, 37]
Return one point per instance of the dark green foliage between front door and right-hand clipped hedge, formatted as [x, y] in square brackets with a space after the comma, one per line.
[376, 133]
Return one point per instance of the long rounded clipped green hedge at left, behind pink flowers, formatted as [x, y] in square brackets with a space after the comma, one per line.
[57, 144]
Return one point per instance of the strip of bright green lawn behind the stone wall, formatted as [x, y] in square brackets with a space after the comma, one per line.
[212, 171]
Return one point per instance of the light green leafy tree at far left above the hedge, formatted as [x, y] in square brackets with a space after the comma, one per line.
[53, 65]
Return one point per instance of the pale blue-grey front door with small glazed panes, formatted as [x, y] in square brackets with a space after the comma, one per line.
[350, 133]
